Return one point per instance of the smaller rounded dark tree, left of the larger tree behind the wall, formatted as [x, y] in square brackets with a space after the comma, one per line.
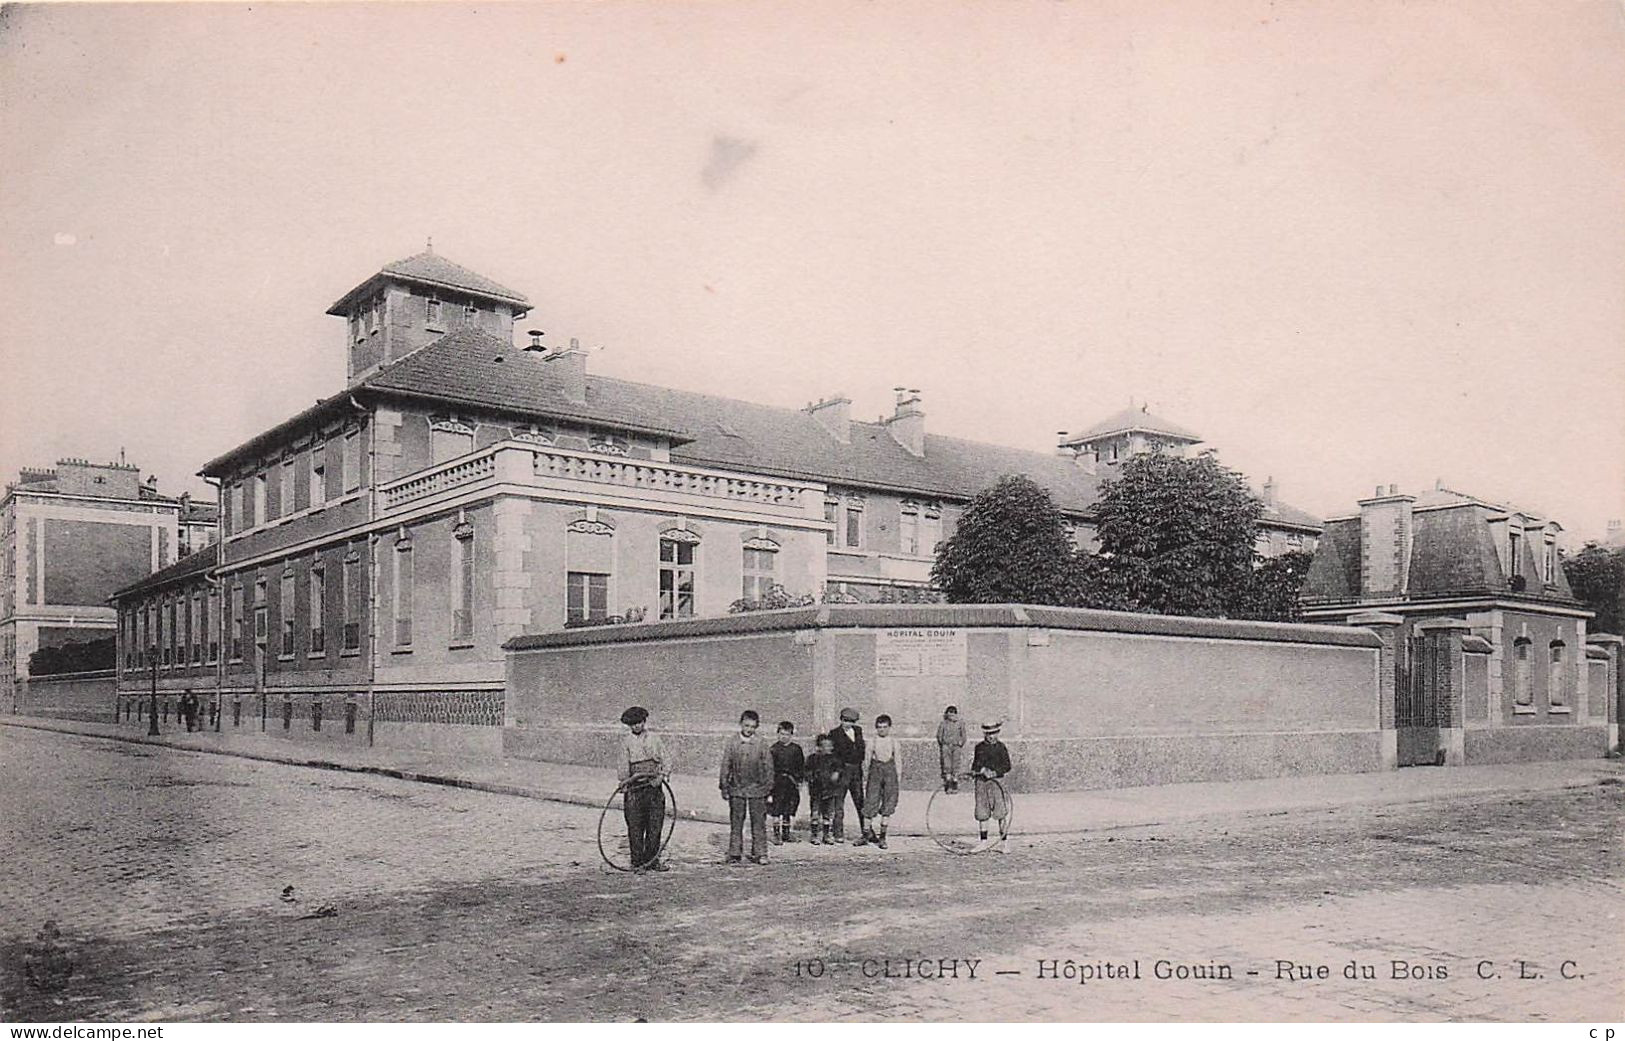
[1012, 548]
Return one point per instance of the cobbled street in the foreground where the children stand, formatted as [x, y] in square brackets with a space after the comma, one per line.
[165, 870]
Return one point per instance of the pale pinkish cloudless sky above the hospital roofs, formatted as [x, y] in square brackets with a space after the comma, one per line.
[1351, 244]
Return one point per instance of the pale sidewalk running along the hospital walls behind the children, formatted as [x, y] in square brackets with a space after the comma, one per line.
[1036, 813]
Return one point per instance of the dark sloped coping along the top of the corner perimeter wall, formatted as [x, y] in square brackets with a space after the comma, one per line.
[950, 616]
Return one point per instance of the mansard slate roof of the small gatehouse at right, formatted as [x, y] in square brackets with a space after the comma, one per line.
[1452, 555]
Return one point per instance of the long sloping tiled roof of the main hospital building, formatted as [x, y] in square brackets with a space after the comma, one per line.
[464, 368]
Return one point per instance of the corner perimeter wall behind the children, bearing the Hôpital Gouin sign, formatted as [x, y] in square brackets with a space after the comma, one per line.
[1090, 699]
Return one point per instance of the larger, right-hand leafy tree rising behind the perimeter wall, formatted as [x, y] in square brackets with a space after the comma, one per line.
[1176, 538]
